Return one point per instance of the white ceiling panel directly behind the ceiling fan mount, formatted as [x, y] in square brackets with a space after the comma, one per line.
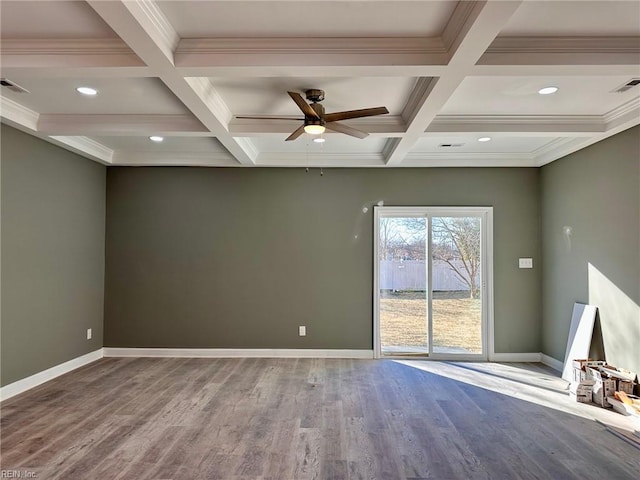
[268, 95]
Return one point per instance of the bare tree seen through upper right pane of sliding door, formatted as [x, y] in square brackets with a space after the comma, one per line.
[456, 241]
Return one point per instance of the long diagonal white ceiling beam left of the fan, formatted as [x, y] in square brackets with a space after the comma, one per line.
[143, 27]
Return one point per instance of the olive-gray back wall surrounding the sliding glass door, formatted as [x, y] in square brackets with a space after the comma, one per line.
[239, 258]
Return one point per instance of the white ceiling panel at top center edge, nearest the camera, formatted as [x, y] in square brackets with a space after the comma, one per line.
[307, 19]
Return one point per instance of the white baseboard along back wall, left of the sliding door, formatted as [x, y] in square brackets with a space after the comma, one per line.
[237, 352]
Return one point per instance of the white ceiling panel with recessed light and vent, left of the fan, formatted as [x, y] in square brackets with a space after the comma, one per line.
[115, 96]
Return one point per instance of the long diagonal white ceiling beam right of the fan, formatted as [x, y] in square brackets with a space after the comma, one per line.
[471, 29]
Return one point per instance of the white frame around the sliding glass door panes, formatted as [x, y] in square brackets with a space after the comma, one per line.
[486, 213]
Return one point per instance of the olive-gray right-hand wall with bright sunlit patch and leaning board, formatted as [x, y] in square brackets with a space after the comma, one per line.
[595, 192]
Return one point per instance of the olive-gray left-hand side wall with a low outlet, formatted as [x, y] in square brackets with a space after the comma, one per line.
[53, 212]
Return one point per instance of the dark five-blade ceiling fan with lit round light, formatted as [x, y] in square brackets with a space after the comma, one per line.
[316, 120]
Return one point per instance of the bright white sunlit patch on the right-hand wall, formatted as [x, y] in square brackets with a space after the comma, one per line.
[620, 320]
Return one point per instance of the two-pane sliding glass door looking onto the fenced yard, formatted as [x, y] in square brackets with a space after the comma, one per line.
[432, 281]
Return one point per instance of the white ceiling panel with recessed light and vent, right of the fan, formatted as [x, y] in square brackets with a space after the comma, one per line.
[518, 96]
